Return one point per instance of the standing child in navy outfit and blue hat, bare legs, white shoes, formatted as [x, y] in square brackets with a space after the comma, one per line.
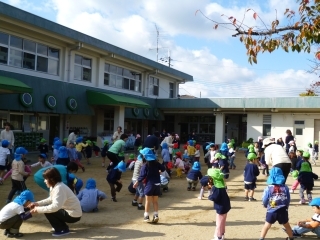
[150, 173]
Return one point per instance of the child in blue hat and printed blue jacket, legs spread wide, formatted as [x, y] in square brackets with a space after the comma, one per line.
[276, 199]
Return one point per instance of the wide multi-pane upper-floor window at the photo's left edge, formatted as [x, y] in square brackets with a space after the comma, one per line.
[23, 53]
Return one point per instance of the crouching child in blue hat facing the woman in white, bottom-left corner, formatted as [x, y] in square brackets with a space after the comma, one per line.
[13, 214]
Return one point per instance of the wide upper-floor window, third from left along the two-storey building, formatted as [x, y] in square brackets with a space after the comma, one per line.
[121, 78]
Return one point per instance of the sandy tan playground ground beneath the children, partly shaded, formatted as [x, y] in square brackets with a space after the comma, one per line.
[182, 215]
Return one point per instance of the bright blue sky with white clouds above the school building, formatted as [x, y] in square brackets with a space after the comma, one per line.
[217, 61]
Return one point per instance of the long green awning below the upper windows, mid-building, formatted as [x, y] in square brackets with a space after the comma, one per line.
[100, 98]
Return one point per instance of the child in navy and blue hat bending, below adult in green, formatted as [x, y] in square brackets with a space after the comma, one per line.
[114, 178]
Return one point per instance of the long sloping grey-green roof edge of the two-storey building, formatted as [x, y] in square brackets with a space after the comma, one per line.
[18, 14]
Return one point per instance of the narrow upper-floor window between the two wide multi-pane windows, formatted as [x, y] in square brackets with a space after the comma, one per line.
[82, 68]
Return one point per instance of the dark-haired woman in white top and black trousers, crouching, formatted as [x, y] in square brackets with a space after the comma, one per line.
[61, 207]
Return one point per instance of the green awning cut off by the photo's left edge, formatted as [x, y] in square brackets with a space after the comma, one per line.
[11, 85]
